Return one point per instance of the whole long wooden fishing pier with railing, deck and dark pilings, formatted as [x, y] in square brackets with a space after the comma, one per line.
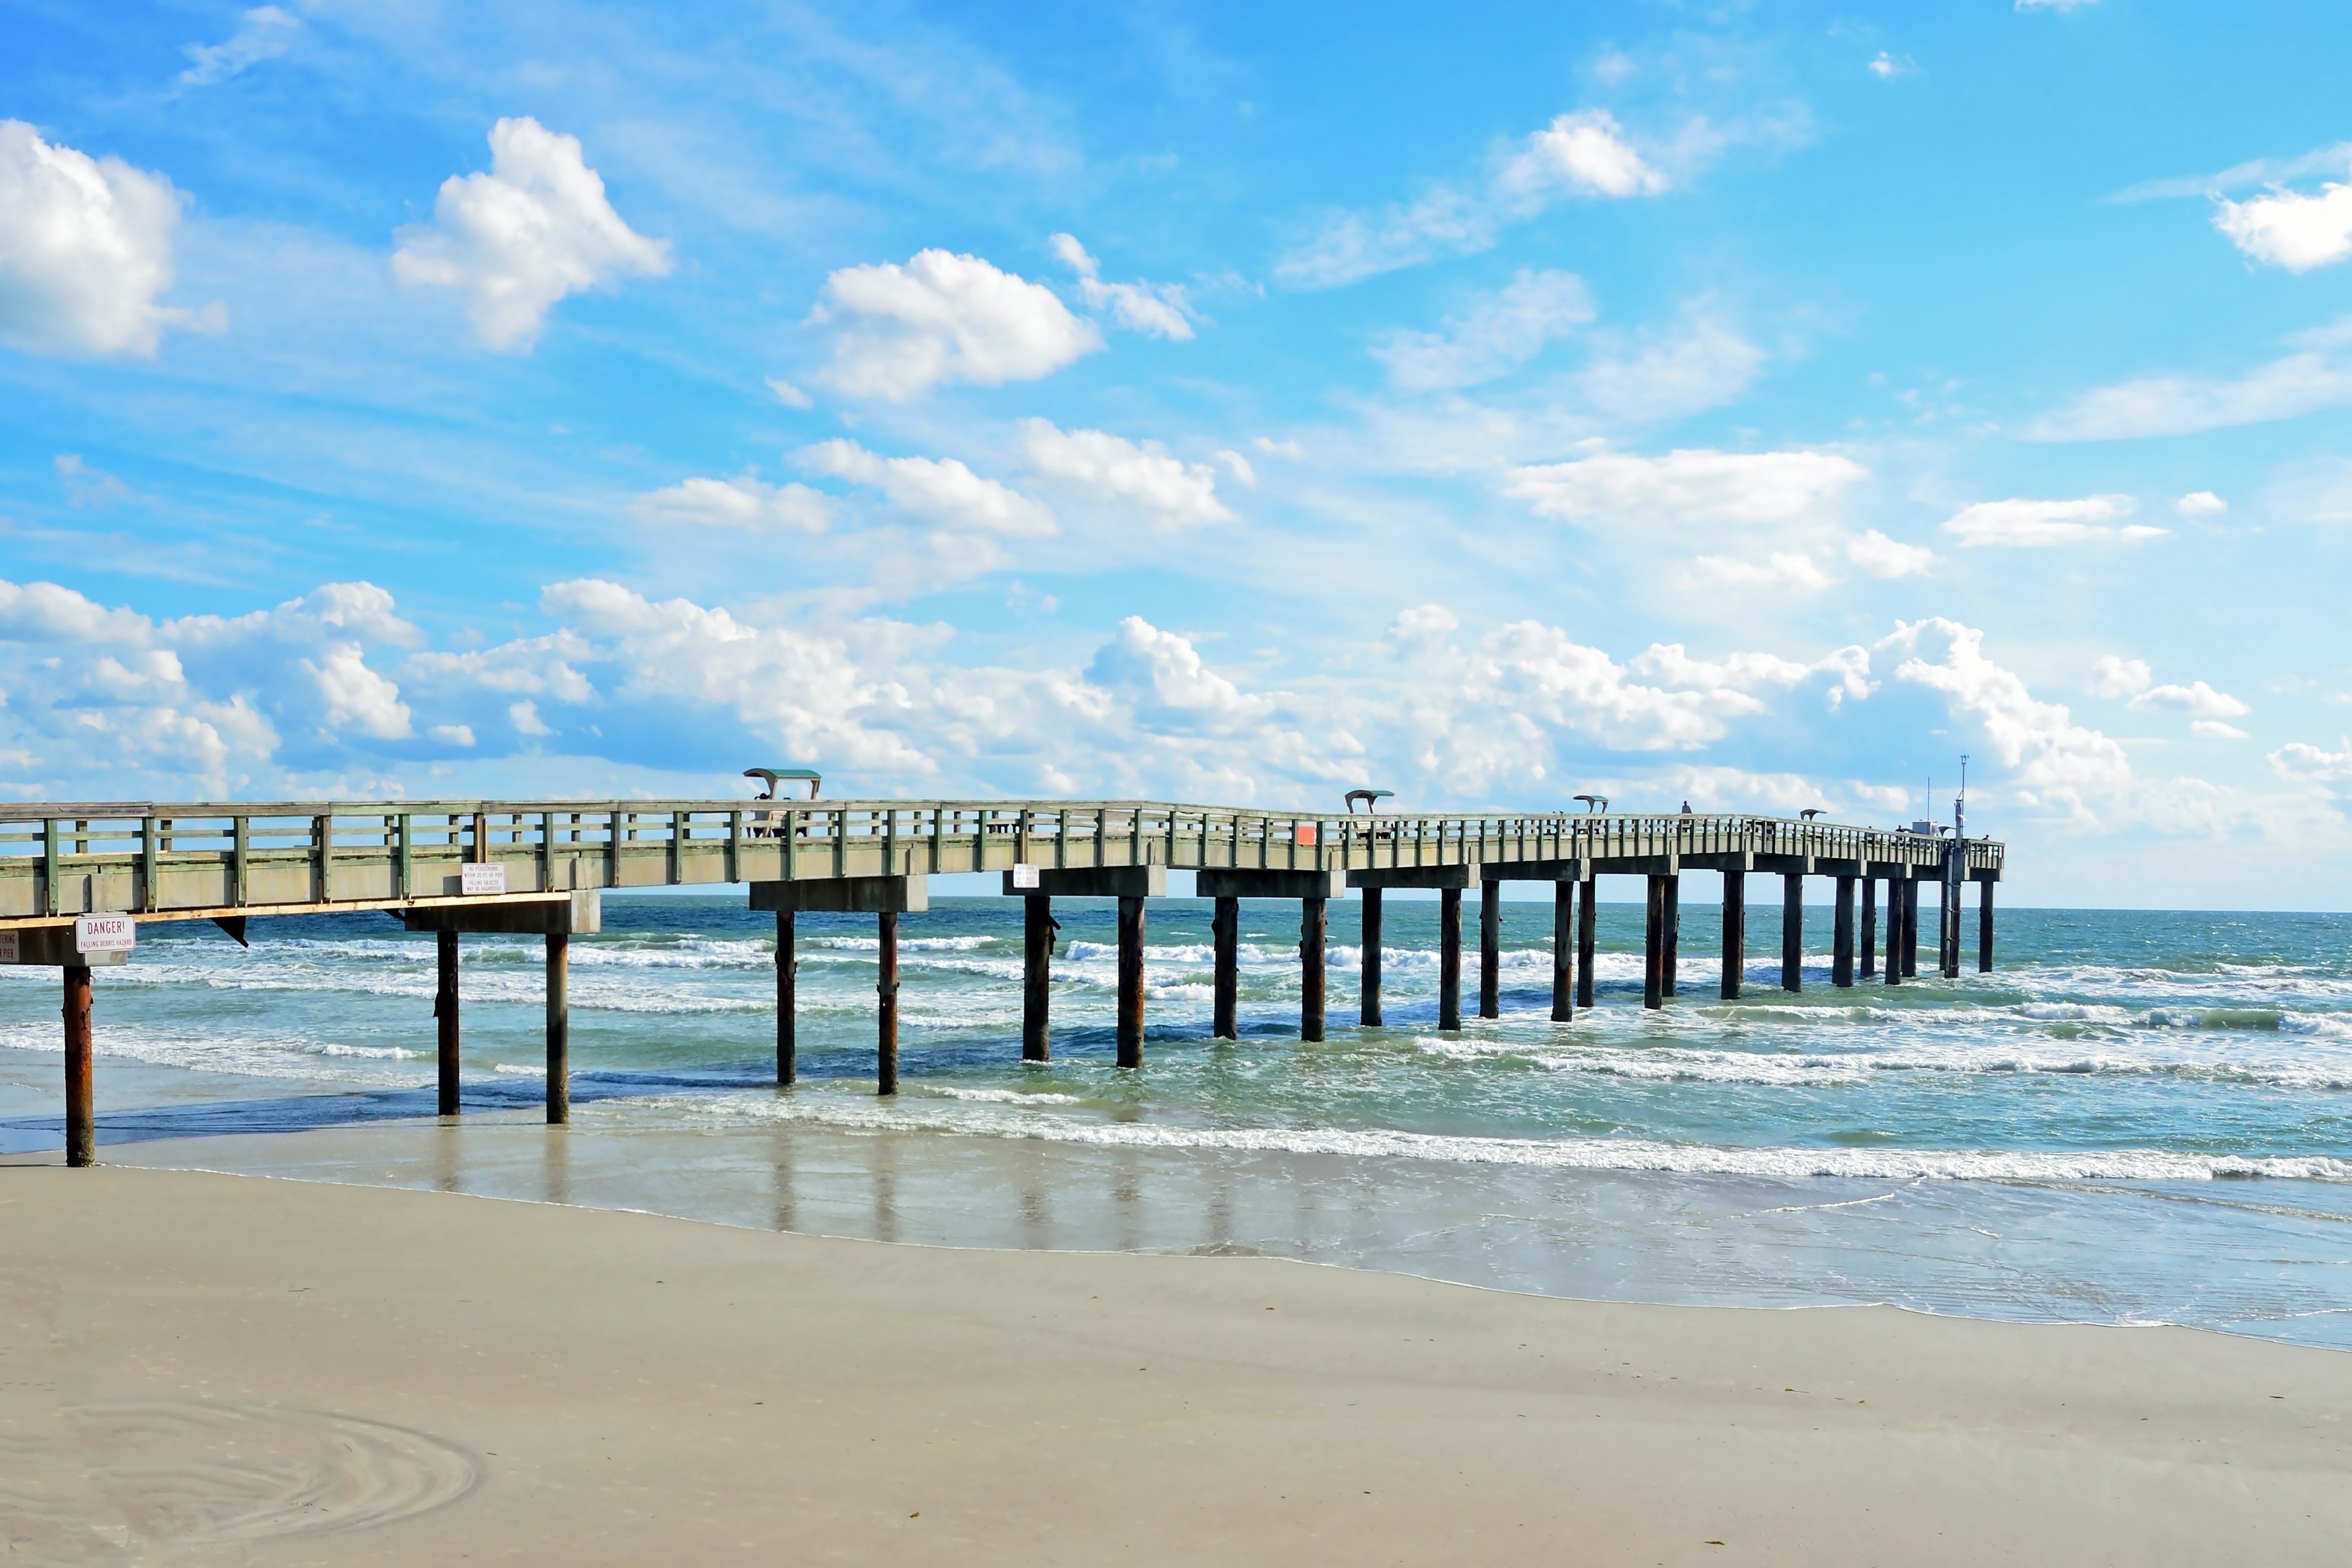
[79, 880]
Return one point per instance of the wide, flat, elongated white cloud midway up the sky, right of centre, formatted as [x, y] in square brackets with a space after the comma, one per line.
[1688, 488]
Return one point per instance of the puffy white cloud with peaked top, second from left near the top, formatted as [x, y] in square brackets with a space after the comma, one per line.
[523, 236]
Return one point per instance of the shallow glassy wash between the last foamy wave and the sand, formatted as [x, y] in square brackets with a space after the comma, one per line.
[1977, 1252]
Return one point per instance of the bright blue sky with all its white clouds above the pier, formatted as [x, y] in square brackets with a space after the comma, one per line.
[1756, 406]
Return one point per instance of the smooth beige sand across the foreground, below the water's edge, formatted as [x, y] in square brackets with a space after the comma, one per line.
[211, 1369]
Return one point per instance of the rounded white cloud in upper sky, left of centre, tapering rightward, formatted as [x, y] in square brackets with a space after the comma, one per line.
[902, 330]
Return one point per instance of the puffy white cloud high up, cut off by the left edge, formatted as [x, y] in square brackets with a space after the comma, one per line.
[86, 250]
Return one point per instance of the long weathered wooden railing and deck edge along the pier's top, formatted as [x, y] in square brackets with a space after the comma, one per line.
[208, 859]
